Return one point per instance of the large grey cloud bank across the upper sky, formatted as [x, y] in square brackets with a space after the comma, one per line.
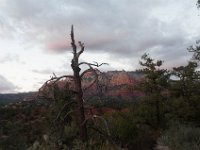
[122, 28]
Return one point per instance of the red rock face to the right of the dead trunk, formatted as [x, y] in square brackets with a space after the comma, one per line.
[112, 84]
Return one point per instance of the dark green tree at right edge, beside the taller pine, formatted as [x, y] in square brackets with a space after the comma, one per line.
[183, 104]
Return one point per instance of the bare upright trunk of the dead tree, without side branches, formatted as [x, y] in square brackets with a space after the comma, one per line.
[80, 115]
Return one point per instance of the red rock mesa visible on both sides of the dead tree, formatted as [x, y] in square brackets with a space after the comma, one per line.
[112, 84]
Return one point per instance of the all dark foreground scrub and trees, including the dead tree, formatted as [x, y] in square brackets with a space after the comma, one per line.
[164, 112]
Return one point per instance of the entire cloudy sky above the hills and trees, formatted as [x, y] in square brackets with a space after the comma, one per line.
[35, 40]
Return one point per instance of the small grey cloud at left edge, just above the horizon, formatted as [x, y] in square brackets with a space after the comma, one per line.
[6, 86]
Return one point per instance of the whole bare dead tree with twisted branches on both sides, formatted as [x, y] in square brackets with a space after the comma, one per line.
[78, 91]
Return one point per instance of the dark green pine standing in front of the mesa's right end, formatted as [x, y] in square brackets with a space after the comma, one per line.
[154, 86]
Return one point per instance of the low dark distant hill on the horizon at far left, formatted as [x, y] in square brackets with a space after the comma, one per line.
[12, 98]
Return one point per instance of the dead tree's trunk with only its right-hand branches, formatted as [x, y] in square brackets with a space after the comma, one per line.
[80, 115]
